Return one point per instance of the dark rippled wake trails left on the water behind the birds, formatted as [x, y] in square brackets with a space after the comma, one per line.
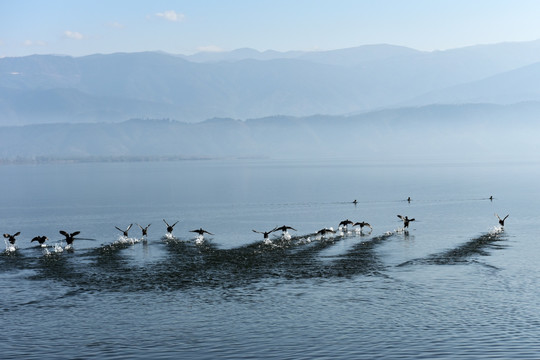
[194, 263]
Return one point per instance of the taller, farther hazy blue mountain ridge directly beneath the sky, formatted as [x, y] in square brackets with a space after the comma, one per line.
[246, 84]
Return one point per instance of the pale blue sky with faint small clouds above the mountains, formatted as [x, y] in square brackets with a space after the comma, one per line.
[83, 27]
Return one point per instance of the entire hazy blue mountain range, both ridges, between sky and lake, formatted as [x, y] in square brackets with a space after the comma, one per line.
[331, 103]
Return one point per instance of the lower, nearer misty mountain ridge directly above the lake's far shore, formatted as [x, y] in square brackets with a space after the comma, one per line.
[449, 133]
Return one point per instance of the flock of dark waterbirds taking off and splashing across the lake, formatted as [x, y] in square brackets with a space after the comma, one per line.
[343, 226]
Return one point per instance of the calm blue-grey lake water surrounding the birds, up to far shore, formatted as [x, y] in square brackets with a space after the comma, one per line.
[453, 286]
